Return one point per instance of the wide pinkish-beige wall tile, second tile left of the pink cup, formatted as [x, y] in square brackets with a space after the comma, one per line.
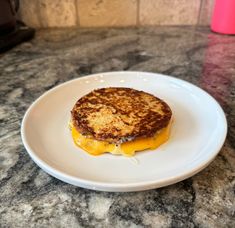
[169, 12]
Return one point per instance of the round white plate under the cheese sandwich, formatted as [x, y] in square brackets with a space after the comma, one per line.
[198, 133]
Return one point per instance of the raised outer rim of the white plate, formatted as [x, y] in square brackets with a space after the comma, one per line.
[115, 186]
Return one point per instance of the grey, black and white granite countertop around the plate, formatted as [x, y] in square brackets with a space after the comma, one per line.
[31, 198]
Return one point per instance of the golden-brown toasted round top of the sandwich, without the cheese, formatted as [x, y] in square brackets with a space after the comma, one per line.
[117, 115]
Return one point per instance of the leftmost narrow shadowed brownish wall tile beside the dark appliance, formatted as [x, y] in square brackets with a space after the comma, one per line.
[29, 13]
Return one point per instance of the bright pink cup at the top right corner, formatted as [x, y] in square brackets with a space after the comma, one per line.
[223, 19]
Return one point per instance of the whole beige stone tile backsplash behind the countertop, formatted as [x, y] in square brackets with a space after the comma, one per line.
[114, 13]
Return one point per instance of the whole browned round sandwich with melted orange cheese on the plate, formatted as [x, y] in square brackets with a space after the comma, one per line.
[120, 121]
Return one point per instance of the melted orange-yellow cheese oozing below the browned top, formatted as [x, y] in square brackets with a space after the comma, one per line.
[96, 147]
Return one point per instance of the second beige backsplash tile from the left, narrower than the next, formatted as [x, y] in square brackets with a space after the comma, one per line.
[57, 13]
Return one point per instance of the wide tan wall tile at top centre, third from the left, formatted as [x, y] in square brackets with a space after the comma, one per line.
[107, 12]
